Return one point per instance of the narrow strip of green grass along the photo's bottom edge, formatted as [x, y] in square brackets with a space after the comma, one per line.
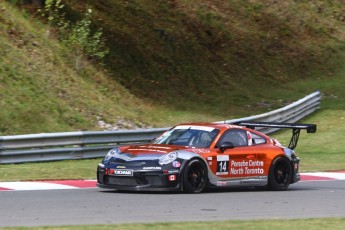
[307, 224]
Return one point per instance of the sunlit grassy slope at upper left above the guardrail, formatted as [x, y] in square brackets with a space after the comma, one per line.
[40, 90]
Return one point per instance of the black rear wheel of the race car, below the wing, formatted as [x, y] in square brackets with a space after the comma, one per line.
[280, 174]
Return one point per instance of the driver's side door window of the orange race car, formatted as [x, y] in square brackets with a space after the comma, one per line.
[237, 137]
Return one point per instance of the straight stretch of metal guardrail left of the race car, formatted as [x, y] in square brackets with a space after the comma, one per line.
[68, 145]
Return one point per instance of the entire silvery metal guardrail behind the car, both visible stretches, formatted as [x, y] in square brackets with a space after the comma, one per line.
[82, 145]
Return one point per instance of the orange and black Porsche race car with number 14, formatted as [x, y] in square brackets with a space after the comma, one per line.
[195, 156]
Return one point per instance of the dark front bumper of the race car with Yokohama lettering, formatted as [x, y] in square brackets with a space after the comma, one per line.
[139, 180]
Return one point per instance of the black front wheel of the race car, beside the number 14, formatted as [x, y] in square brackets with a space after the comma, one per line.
[194, 176]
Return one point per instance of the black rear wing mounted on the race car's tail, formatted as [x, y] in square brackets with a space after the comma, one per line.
[296, 129]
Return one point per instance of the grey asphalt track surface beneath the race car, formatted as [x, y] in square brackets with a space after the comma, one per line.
[305, 199]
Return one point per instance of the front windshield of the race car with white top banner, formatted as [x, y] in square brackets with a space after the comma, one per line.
[186, 135]
